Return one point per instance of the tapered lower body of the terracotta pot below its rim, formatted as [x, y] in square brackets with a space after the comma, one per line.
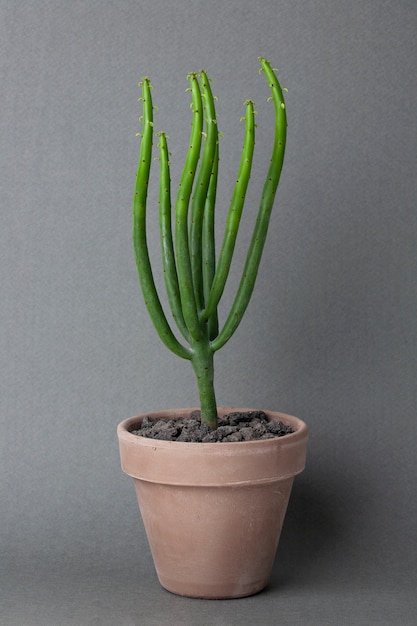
[213, 542]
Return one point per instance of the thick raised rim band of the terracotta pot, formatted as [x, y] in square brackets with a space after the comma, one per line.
[226, 463]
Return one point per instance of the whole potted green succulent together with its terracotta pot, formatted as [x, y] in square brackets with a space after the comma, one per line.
[212, 511]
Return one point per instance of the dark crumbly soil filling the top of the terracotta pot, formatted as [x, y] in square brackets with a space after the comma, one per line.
[233, 427]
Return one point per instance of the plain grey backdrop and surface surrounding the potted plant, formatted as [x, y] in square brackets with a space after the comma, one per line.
[330, 335]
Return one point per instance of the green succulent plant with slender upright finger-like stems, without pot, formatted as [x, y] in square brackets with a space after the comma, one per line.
[194, 281]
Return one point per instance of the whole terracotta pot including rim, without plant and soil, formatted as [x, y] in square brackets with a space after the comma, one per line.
[213, 512]
